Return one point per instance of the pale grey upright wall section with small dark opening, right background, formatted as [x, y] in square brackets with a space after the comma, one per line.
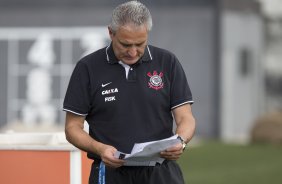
[241, 95]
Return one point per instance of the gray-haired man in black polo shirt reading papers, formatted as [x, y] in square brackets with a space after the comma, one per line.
[128, 92]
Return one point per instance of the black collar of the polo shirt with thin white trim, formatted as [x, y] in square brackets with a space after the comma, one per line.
[112, 59]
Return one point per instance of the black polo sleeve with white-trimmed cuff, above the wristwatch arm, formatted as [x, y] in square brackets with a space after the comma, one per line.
[180, 90]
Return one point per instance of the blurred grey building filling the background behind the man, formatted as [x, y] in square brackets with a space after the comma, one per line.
[223, 46]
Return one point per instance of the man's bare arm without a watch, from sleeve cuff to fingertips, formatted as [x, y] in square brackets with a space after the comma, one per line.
[79, 138]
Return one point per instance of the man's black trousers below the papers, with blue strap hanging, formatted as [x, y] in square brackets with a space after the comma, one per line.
[166, 173]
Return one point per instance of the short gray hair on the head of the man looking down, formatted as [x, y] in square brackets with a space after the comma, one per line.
[132, 12]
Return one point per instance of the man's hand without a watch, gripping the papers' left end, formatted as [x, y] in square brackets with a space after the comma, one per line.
[107, 155]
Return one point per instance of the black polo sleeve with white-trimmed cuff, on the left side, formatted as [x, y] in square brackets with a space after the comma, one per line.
[77, 98]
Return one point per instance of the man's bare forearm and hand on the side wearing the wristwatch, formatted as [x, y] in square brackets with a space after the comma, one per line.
[185, 128]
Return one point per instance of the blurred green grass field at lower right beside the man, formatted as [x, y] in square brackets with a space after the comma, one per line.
[218, 163]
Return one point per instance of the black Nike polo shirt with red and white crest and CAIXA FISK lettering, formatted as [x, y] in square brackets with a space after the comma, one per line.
[127, 104]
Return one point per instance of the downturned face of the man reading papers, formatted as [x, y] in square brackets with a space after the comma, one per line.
[129, 43]
